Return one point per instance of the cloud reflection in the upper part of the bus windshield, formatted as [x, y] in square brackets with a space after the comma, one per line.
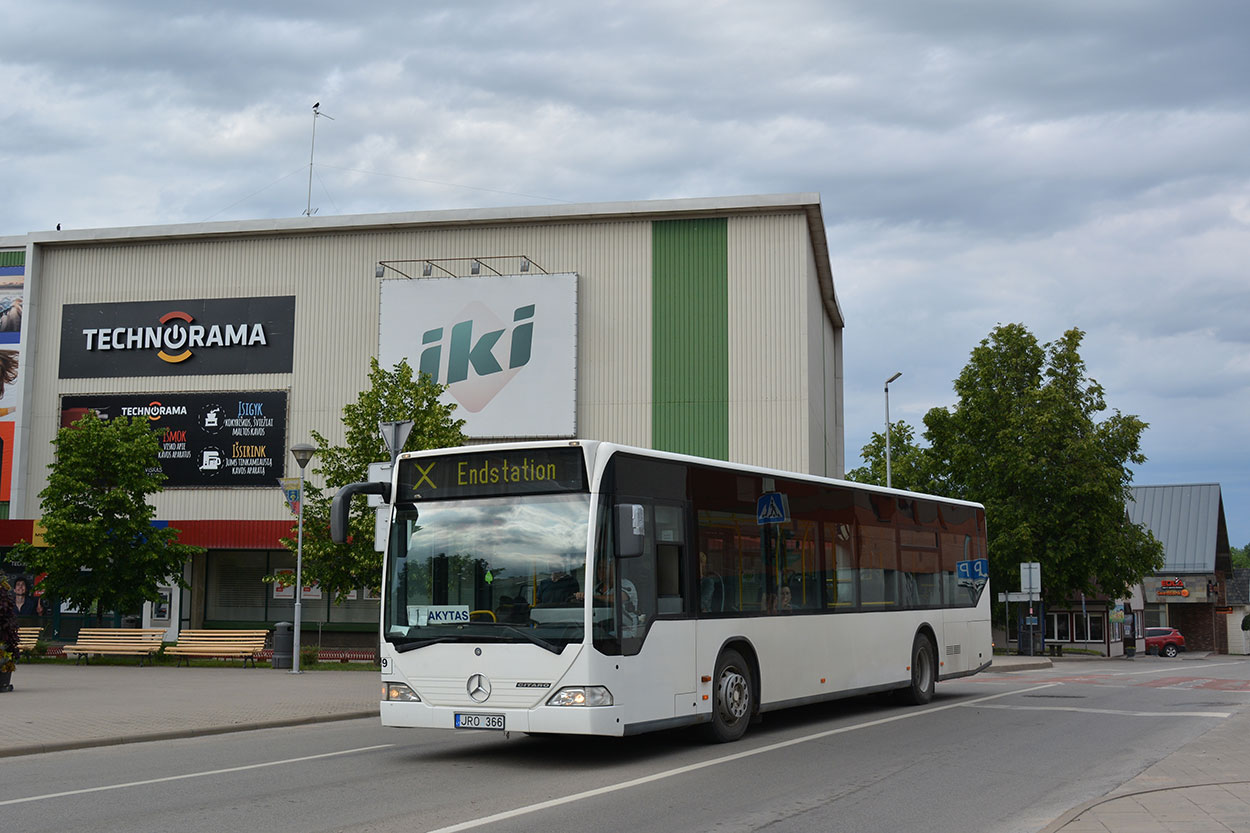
[541, 535]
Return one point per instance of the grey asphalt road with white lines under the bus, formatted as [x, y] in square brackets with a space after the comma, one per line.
[994, 754]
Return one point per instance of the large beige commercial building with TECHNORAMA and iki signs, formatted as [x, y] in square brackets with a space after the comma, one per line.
[701, 326]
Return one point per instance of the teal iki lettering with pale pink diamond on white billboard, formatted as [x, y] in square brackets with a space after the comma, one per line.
[471, 356]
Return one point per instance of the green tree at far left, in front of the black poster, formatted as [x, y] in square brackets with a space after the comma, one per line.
[103, 552]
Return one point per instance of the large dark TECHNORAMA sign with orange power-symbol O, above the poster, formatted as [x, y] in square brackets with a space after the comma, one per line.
[178, 338]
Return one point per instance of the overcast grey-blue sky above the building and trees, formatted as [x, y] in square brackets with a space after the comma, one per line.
[1057, 164]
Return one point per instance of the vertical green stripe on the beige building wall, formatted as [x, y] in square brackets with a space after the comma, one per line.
[691, 337]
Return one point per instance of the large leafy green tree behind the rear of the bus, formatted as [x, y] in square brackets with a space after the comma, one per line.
[1026, 440]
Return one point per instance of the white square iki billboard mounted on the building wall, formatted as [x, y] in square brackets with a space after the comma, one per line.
[506, 346]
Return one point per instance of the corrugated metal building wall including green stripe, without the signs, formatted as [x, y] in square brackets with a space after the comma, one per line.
[702, 336]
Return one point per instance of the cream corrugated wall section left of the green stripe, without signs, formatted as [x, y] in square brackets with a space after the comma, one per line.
[337, 326]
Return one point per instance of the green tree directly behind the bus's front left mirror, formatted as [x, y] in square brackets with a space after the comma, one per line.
[393, 396]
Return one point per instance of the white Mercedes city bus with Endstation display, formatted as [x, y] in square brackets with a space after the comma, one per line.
[591, 588]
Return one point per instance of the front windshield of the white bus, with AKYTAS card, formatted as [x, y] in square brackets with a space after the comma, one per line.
[488, 570]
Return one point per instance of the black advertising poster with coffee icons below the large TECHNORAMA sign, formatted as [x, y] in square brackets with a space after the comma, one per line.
[207, 440]
